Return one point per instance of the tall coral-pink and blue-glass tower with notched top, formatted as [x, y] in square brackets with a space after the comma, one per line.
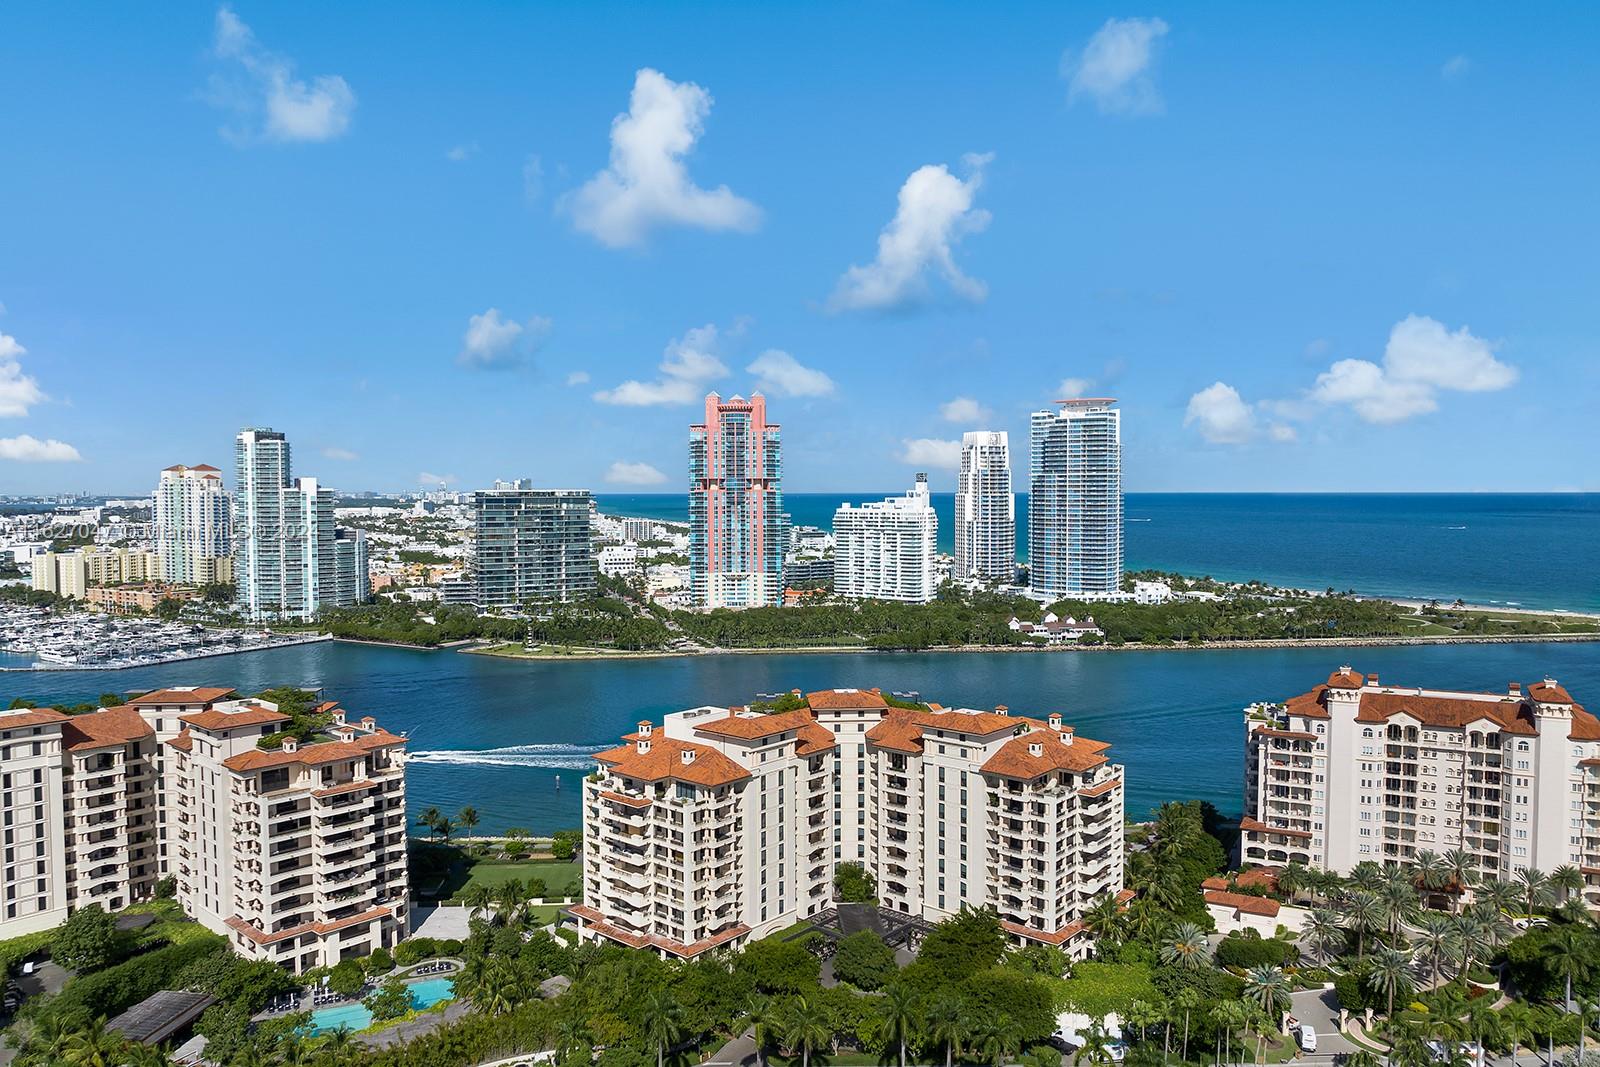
[738, 529]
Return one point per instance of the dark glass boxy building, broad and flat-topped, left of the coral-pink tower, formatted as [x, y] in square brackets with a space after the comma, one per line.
[532, 546]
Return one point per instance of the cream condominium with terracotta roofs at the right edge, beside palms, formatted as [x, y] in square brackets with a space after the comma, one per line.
[1358, 772]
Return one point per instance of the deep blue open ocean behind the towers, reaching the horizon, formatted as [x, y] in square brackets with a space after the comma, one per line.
[1530, 551]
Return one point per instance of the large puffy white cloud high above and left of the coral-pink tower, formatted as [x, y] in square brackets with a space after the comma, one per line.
[647, 183]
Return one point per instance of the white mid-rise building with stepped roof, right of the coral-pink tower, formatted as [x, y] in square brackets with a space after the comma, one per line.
[886, 549]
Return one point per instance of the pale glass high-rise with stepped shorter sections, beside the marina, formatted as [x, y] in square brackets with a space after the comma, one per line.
[289, 559]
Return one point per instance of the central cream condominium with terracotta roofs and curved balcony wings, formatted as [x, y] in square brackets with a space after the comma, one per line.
[727, 825]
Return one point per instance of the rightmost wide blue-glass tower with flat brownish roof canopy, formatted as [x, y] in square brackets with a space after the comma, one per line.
[1074, 505]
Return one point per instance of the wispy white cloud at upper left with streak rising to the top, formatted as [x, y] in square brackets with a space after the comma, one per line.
[271, 103]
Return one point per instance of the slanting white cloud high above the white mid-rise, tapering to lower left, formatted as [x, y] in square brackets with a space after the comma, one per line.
[935, 212]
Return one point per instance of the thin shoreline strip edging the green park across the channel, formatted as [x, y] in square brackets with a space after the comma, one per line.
[1204, 647]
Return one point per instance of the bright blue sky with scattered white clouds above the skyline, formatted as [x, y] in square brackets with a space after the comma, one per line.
[1340, 250]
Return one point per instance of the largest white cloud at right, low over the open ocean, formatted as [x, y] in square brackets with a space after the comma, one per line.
[1422, 359]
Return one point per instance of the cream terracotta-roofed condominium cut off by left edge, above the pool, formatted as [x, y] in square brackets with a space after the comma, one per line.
[294, 852]
